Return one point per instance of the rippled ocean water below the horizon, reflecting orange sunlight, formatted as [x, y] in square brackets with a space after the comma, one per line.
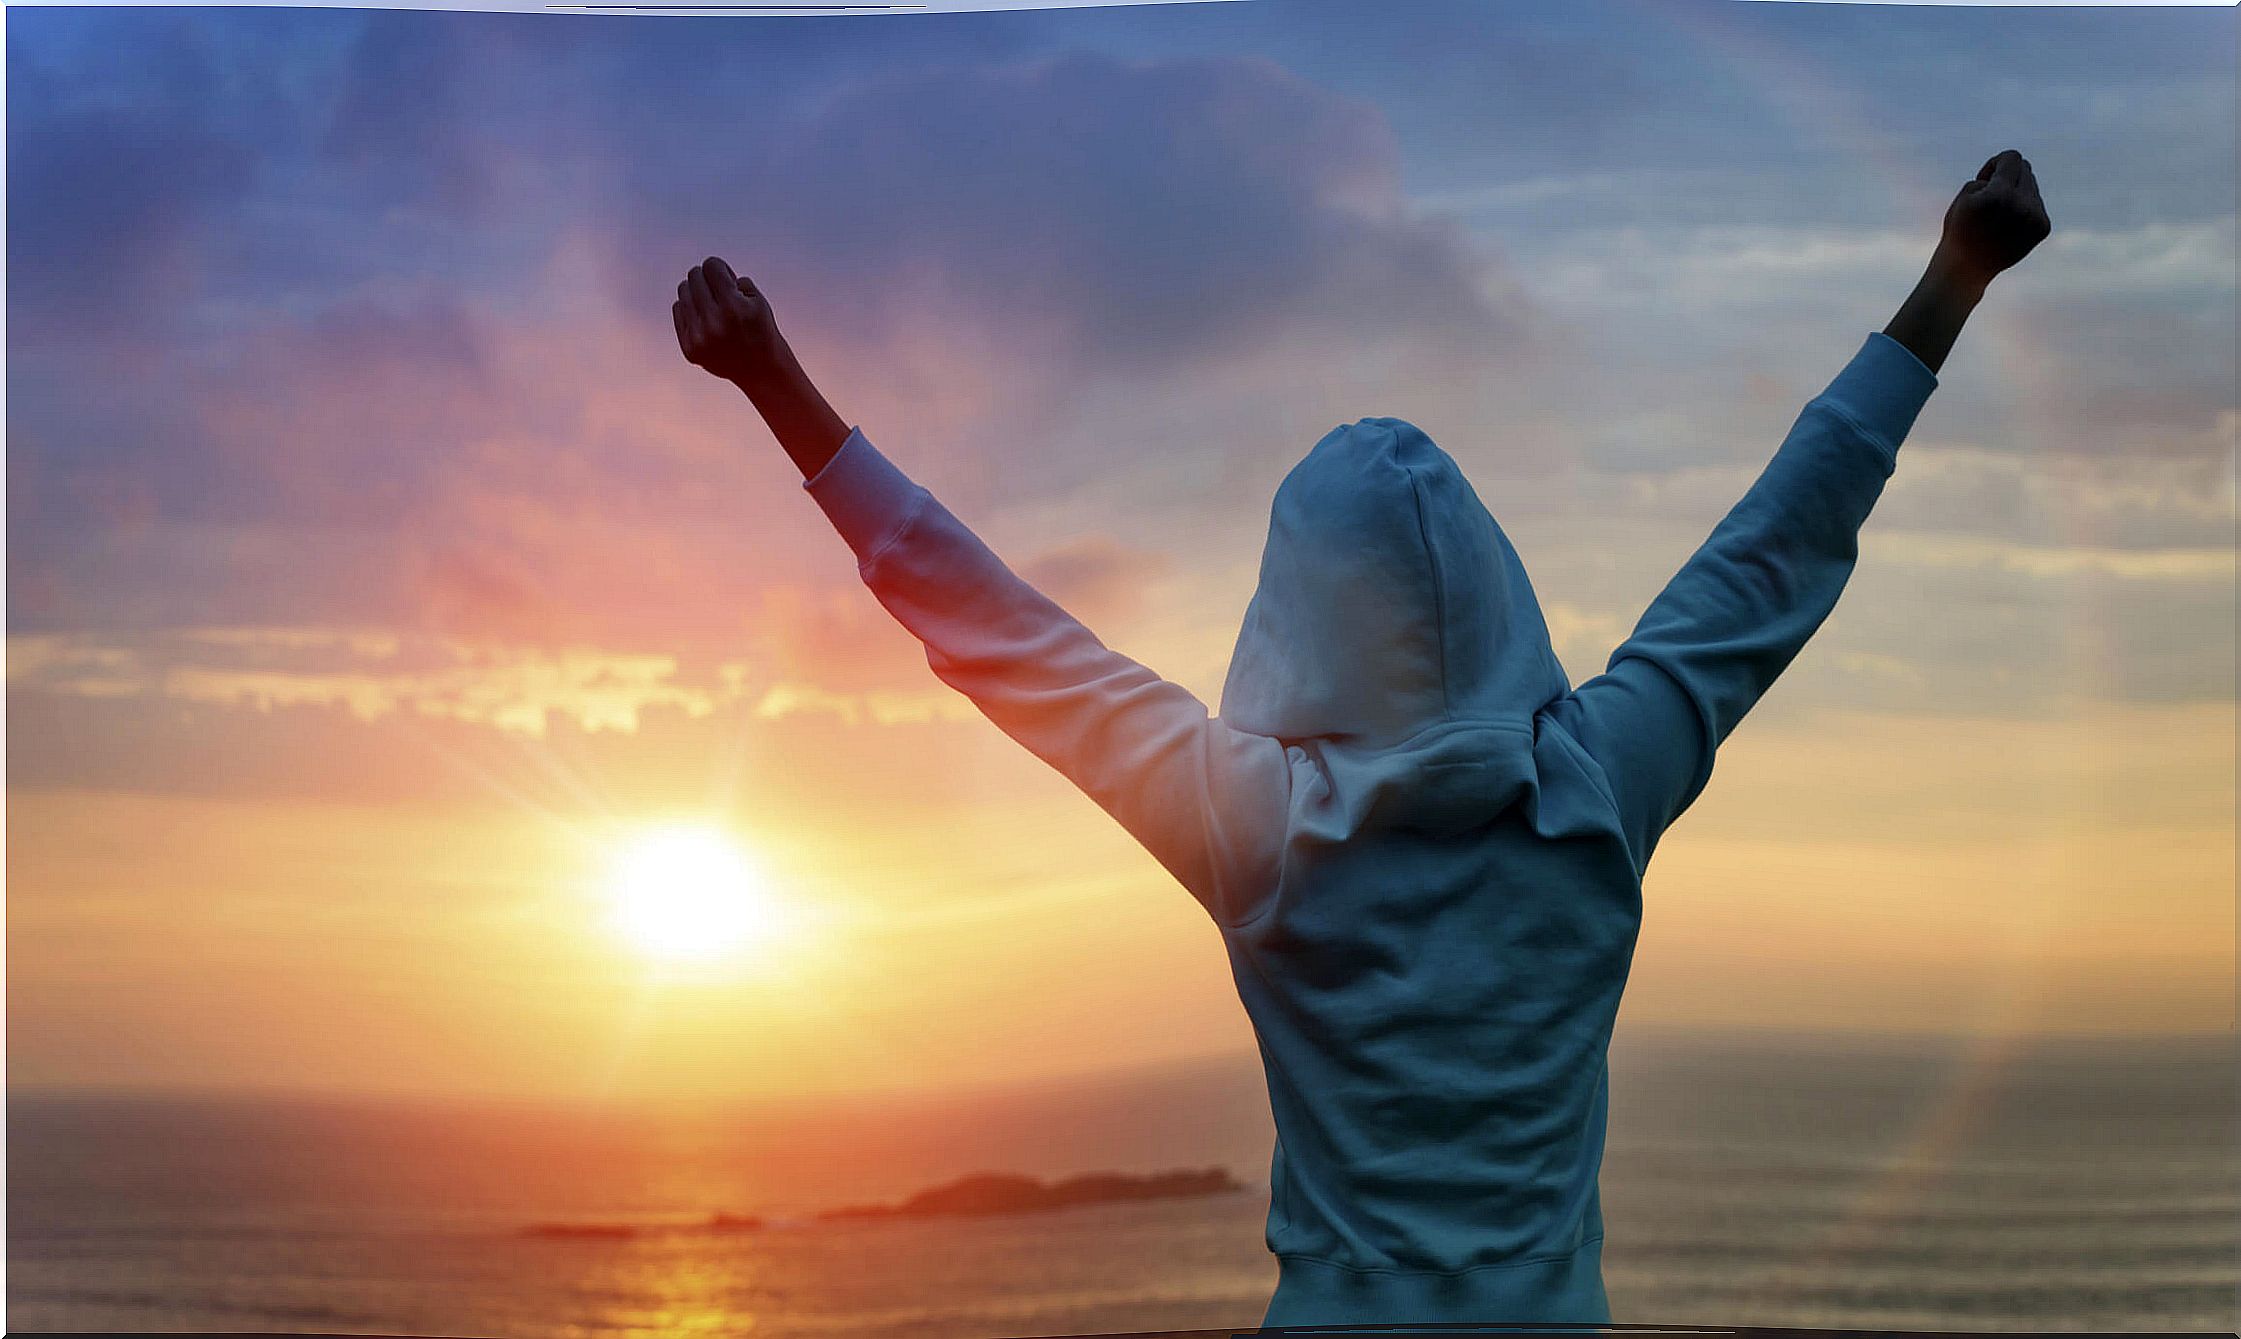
[1751, 1179]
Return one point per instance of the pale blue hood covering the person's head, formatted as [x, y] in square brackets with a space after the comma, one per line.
[1388, 601]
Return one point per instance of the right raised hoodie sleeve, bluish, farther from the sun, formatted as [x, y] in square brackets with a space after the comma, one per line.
[1749, 599]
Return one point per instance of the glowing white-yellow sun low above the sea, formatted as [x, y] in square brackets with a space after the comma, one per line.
[691, 895]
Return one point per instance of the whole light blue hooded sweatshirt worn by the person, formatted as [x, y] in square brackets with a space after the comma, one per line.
[1422, 845]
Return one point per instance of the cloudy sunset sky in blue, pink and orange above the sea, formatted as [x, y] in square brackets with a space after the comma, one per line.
[380, 574]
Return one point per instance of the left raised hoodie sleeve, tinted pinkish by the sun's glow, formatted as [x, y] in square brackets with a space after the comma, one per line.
[1209, 803]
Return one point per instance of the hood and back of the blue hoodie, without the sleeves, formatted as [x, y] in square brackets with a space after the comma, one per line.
[1438, 977]
